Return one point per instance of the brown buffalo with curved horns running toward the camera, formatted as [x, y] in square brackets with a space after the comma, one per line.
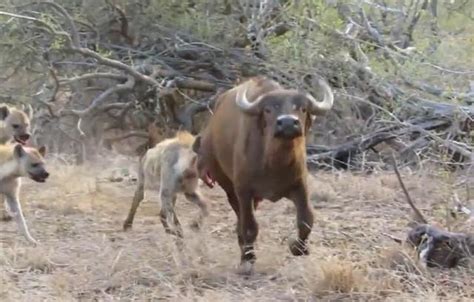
[254, 147]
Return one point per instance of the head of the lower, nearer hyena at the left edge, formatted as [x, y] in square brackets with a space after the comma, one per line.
[31, 162]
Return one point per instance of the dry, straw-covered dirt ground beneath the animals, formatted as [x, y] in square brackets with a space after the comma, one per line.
[85, 256]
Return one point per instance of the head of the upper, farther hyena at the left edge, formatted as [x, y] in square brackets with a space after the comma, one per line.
[17, 123]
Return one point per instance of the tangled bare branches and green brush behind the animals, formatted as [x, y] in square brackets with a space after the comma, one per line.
[402, 70]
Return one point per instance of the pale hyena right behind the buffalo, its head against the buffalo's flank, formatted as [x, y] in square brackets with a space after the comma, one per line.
[172, 164]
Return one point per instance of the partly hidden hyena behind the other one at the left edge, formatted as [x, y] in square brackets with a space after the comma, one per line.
[14, 124]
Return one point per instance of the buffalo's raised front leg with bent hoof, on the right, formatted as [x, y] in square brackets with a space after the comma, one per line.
[304, 220]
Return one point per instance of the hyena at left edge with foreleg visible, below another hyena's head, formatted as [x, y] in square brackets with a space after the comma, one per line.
[18, 161]
